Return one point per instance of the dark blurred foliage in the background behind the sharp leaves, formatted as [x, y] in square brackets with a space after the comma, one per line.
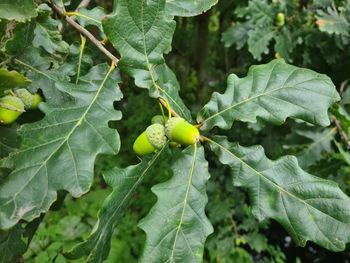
[227, 39]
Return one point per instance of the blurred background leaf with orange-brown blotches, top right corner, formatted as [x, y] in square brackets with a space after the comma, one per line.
[331, 22]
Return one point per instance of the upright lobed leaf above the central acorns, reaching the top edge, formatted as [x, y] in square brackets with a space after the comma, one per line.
[142, 32]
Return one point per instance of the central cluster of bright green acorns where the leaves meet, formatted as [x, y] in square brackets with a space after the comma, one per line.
[175, 129]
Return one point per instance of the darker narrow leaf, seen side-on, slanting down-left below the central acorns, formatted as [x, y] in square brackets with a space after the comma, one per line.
[124, 182]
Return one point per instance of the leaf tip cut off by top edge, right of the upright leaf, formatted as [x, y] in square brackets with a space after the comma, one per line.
[188, 8]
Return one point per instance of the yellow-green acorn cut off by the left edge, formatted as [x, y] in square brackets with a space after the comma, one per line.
[11, 108]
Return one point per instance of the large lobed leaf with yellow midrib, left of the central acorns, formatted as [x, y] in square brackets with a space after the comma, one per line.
[58, 152]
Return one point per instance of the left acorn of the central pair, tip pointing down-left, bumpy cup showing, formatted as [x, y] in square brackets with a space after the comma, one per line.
[150, 140]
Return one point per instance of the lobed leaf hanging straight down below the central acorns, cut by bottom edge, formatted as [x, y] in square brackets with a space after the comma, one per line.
[177, 226]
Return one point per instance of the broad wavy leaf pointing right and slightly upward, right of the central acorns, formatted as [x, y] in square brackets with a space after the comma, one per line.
[273, 92]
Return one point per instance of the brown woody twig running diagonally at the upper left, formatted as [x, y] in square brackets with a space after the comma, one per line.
[86, 33]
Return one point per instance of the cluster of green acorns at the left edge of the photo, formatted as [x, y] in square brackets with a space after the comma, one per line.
[14, 103]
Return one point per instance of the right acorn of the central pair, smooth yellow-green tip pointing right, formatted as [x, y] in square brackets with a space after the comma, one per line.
[179, 130]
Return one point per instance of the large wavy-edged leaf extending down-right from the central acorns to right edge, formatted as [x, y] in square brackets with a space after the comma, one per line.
[309, 208]
